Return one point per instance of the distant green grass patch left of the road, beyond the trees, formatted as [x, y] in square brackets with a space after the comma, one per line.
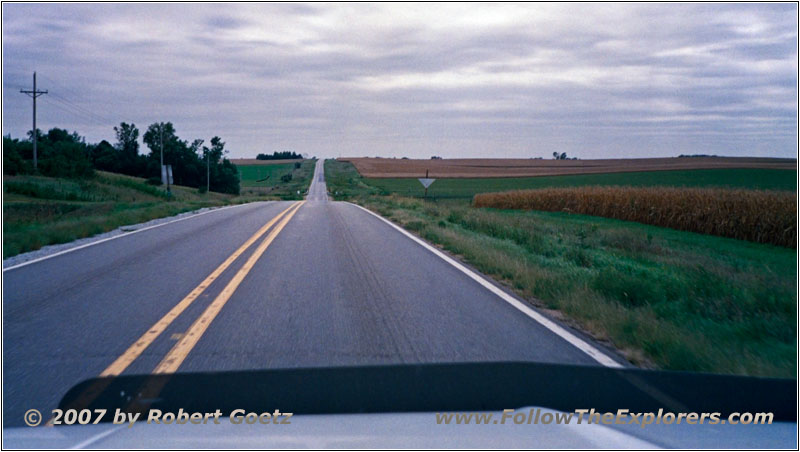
[274, 186]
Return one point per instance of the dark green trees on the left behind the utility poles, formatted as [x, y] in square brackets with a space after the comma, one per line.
[65, 154]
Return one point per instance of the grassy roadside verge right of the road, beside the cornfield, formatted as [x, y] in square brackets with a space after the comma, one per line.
[665, 298]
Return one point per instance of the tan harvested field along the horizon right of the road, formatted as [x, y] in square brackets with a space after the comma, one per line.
[479, 168]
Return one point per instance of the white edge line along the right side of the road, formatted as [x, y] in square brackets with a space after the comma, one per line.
[577, 342]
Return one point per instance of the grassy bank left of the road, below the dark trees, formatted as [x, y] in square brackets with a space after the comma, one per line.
[39, 211]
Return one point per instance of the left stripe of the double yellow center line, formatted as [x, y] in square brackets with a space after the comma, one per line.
[133, 352]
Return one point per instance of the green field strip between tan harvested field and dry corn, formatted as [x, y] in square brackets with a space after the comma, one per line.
[766, 179]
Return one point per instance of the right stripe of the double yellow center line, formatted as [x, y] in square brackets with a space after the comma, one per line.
[181, 350]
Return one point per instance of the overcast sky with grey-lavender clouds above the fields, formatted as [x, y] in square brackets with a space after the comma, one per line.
[457, 80]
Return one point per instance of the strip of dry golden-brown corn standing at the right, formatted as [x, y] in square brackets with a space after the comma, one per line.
[754, 215]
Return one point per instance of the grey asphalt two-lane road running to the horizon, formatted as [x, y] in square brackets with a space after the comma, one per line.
[335, 285]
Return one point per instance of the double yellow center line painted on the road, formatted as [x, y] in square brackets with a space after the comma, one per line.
[179, 352]
